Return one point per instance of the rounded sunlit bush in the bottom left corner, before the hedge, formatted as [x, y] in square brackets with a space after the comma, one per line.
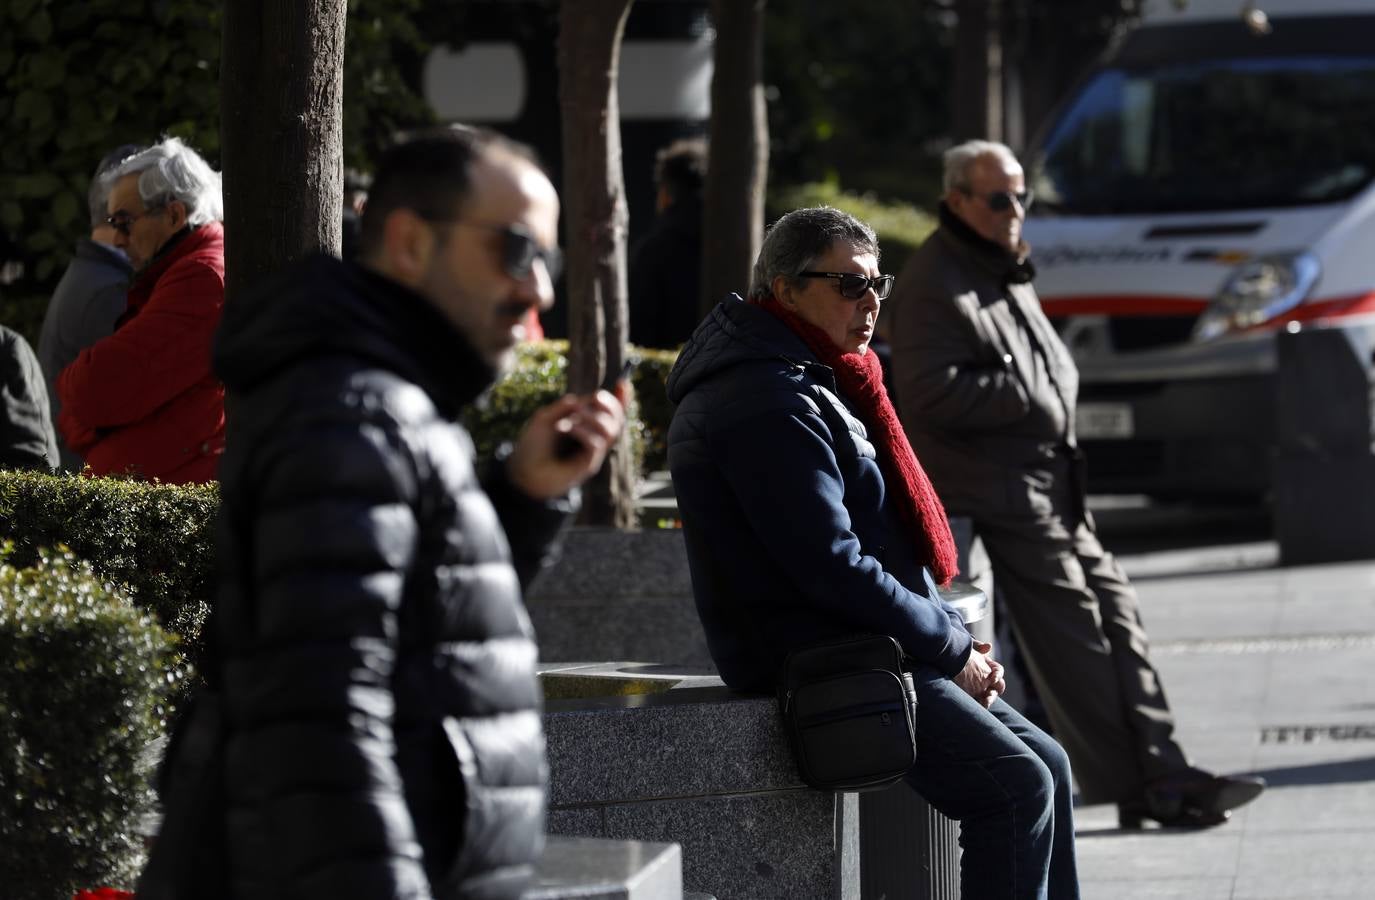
[83, 695]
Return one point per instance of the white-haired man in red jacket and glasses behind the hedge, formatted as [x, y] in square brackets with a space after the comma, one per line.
[144, 401]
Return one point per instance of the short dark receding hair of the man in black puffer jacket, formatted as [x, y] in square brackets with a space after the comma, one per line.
[430, 172]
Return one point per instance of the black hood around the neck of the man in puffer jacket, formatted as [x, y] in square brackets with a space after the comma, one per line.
[324, 307]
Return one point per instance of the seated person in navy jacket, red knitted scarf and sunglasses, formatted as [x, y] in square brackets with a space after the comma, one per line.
[808, 517]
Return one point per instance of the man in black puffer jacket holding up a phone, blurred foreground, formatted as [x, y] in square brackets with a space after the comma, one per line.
[375, 655]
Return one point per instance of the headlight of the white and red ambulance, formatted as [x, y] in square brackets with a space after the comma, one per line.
[1257, 292]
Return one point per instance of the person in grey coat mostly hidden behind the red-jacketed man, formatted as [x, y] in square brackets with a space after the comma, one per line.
[90, 297]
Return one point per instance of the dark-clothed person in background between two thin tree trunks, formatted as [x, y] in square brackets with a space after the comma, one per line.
[666, 265]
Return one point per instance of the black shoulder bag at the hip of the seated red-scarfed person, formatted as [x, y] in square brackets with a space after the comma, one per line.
[850, 712]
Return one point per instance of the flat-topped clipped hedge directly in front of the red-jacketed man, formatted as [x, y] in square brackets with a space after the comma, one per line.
[157, 542]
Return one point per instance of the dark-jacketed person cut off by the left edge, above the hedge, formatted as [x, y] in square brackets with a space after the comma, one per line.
[27, 436]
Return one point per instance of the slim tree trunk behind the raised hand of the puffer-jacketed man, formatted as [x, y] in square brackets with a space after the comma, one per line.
[595, 208]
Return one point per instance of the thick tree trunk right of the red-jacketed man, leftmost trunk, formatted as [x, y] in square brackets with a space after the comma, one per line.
[281, 134]
